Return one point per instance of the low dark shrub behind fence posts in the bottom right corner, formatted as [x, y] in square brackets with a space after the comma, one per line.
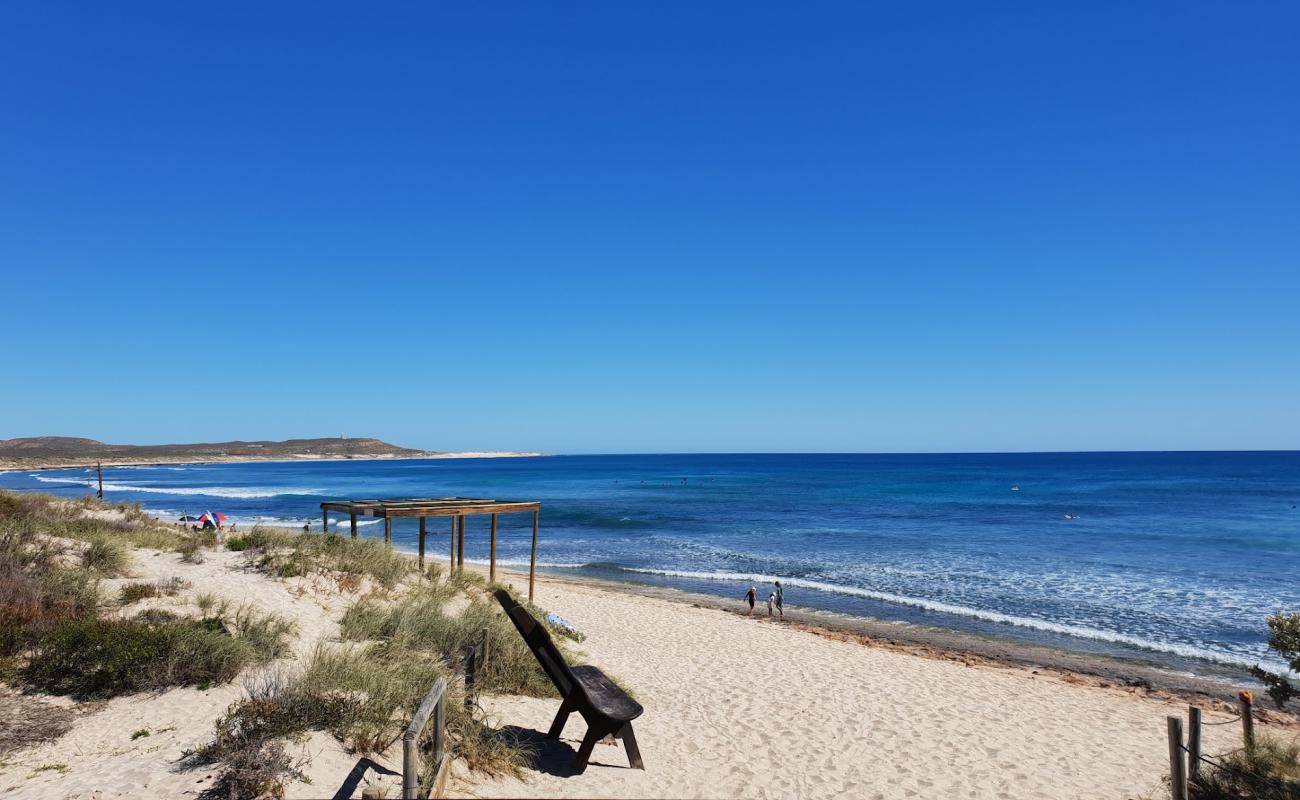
[1271, 771]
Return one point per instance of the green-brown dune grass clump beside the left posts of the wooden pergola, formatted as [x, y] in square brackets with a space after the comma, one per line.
[289, 555]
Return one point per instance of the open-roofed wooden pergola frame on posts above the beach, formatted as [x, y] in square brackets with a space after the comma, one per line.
[457, 508]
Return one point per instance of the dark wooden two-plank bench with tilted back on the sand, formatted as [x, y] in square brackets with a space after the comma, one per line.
[608, 710]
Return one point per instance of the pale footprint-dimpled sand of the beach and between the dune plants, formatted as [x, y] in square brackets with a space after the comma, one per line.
[735, 708]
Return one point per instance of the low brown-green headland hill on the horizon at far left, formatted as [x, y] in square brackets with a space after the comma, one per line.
[67, 449]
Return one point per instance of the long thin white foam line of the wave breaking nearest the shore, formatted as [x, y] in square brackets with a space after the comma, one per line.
[947, 608]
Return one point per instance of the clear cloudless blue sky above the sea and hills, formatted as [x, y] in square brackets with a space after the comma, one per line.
[610, 227]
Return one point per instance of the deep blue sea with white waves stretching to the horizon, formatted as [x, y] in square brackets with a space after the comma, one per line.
[1173, 559]
